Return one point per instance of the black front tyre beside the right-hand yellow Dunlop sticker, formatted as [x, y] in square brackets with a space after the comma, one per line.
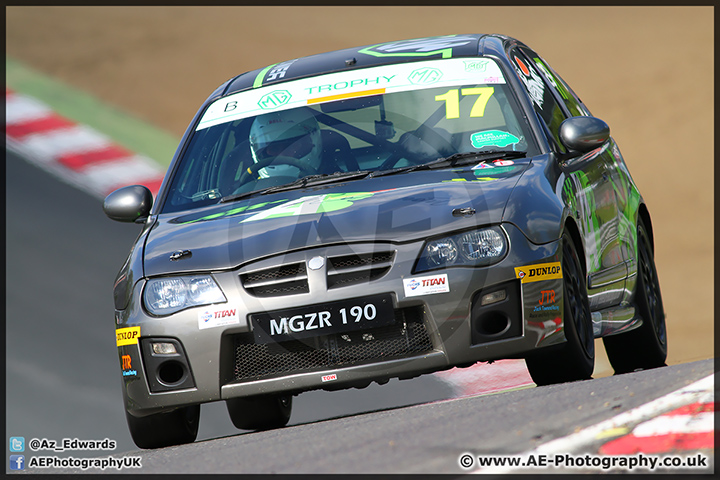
[575, 359]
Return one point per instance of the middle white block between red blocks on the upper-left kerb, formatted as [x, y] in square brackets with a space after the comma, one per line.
[56, 143]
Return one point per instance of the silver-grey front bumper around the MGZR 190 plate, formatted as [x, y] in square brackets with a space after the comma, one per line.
[431, 332]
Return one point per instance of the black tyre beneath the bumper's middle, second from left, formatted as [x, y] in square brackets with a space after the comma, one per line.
[263, 412]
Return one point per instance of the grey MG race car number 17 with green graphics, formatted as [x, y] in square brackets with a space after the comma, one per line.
[374, 213]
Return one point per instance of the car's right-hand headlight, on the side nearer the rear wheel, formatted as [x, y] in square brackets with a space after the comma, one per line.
[476, 248]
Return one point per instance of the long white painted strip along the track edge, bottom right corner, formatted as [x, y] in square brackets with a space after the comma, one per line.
[700, 391]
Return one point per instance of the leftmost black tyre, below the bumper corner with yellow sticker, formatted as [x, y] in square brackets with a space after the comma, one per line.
[165, 429]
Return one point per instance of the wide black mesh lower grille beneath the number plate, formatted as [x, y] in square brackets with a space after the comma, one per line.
[407, 337]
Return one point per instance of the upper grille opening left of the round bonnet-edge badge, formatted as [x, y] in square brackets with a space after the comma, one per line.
[276, 281]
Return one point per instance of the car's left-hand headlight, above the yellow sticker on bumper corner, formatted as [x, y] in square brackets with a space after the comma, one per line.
[167, 295]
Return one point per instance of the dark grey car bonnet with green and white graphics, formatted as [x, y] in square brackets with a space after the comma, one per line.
[400, 208]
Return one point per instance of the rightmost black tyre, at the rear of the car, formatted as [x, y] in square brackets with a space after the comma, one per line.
[646, 346]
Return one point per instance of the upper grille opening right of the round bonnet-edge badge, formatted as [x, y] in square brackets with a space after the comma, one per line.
[348, 270]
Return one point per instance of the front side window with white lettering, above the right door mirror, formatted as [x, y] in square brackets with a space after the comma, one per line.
[542, 98]
